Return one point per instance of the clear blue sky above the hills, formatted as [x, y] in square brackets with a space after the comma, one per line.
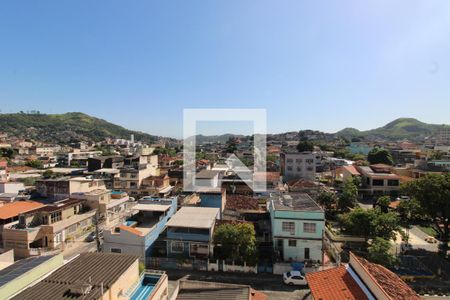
[312, 64]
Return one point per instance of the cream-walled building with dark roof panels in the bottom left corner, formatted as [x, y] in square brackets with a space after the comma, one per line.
[24, 272]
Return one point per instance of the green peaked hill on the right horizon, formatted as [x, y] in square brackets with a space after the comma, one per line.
[401, 128]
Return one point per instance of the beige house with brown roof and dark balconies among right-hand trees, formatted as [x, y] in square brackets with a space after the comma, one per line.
[378, 180]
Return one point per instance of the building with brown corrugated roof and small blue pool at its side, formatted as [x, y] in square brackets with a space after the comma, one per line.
[100, 276]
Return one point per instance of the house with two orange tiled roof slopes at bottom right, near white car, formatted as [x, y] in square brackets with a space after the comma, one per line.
[359, 280]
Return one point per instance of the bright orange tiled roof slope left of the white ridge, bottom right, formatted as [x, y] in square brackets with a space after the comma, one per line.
[334, 284]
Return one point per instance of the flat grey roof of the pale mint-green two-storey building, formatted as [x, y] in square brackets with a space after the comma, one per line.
[295, 201]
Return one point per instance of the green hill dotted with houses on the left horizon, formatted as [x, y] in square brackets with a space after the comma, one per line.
[64, 128]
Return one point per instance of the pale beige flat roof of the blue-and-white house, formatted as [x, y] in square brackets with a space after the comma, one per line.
[194, 217]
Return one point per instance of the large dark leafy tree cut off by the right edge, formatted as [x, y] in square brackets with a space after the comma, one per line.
[433, 194]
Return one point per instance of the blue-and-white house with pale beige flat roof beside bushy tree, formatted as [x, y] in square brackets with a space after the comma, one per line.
[190, 232]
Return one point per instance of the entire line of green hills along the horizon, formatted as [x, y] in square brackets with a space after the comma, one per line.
[76, 126]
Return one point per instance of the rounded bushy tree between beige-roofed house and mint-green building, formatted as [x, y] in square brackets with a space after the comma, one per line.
[236, 241]
